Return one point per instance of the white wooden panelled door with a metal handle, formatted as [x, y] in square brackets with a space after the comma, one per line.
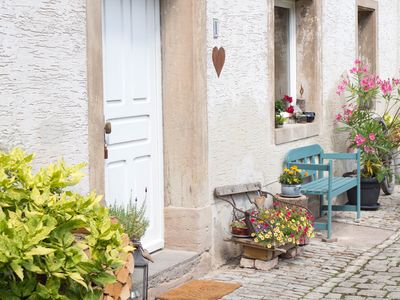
[132, 103]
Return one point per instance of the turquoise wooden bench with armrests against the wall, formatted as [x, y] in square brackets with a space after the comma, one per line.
[316, 162]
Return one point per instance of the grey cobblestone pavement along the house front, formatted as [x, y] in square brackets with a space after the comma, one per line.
[330, 271]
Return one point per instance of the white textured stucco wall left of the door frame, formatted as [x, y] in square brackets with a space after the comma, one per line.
[43, 102]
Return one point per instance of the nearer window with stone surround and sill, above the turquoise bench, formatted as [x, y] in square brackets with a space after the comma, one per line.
[297, 60]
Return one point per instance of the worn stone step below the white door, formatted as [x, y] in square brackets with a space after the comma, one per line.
[174, 267]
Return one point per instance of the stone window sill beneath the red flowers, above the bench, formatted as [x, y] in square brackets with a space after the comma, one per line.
[293, 132]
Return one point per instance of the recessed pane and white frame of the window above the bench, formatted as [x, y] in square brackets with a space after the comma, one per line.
[285, 48]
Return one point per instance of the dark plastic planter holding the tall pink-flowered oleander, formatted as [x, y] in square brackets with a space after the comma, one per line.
[370, 190]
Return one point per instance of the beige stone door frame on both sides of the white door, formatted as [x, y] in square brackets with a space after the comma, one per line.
[184, 86]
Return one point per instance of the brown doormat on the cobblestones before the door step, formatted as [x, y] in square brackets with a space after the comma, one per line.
[200, 290]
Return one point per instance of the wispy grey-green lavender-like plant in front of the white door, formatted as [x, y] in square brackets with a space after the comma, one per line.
[132, 218]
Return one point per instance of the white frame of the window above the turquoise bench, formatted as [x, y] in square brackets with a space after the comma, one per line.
[290, 4]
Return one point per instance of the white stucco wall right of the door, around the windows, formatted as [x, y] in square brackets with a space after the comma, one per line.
[240, 102]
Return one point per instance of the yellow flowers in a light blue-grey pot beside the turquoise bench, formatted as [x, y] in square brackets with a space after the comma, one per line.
[291, 180]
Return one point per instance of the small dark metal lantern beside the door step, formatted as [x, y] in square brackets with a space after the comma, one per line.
[140, 274]
